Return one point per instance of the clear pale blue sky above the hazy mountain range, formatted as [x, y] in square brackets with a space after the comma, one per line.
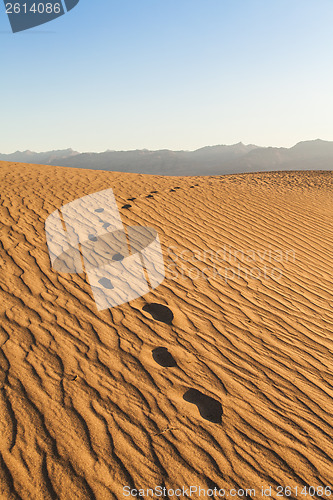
[178, 74]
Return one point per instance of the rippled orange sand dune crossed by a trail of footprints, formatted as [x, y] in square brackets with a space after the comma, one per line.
[220, 377]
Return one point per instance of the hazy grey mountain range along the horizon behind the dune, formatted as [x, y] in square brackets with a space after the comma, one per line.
[209, 160]
